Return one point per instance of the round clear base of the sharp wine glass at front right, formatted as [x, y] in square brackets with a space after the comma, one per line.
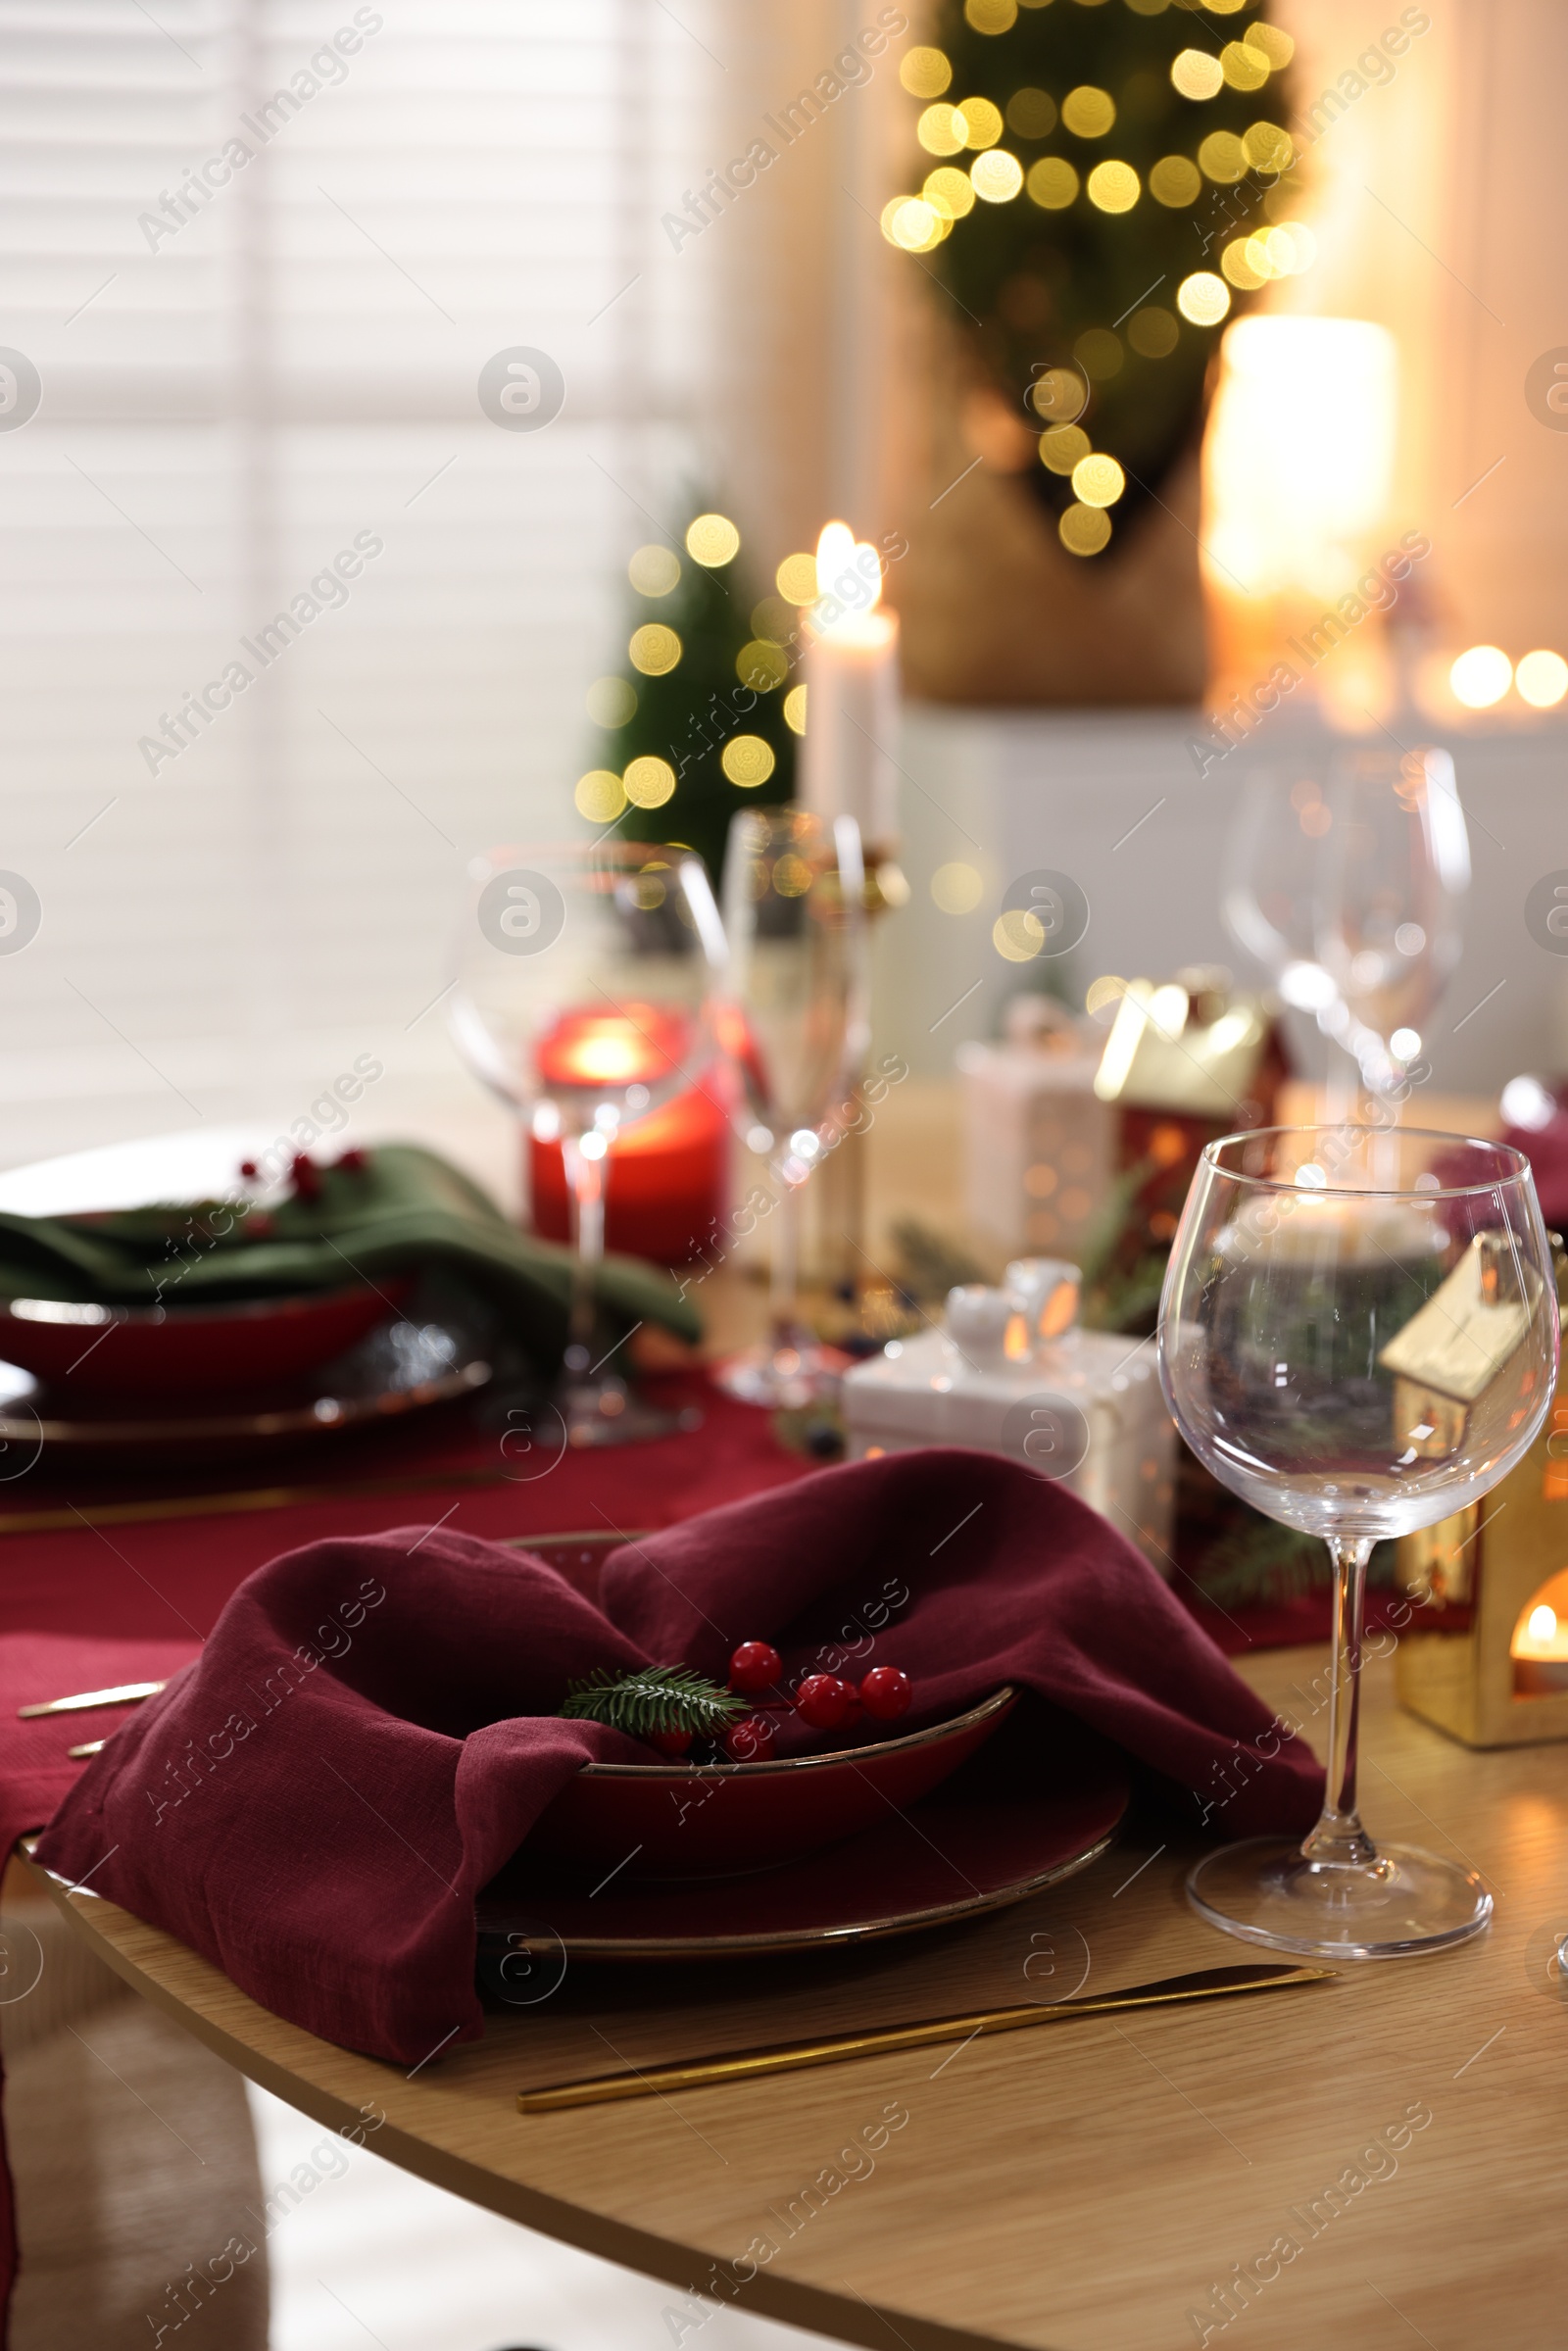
[1402, 1903]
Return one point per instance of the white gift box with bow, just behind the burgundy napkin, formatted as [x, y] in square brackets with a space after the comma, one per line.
[1012, 1374]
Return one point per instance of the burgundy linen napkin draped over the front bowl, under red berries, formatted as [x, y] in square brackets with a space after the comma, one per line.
[370, 1732]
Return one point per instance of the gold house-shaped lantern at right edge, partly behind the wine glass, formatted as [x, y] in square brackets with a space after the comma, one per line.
[1487, 1656]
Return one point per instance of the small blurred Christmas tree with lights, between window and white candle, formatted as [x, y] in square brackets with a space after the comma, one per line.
[706, 716]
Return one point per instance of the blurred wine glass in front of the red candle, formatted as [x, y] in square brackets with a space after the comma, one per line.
[584, 998]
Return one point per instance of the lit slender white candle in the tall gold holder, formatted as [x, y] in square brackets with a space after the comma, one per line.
[852, 692]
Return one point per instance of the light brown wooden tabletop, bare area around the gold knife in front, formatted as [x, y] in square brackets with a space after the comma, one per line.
[1083, 2188]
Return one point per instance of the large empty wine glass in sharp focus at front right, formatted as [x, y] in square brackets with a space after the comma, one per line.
[1360, 1337]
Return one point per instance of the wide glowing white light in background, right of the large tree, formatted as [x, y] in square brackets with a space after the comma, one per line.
[1299, 457]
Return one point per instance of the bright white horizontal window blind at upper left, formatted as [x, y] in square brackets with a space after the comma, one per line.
[293, 624]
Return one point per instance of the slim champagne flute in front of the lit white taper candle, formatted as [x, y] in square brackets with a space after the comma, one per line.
[798, 1031]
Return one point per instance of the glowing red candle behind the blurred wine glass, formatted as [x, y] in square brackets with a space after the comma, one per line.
[666, 1177]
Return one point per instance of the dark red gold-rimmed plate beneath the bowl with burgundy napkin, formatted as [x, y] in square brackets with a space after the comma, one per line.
[1040, 1802]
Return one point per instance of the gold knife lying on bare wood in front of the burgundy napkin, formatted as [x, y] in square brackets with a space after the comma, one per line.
[789, 2056]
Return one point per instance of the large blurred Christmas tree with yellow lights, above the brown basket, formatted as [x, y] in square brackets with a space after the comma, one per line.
[1115, 185]
